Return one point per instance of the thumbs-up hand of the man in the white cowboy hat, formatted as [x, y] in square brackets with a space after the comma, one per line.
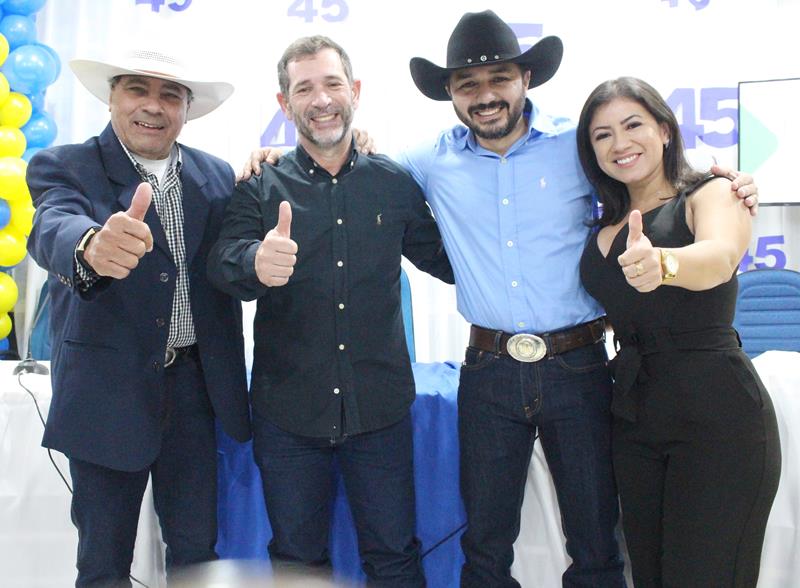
[123, 240]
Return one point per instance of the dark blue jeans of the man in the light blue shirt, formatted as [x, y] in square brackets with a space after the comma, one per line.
[502, 404]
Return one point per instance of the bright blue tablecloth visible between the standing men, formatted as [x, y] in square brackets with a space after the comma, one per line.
[244, 529]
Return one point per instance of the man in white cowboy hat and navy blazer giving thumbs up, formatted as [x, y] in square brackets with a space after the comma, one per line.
[145, 351]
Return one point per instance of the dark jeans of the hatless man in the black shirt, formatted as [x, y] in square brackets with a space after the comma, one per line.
[378, 472]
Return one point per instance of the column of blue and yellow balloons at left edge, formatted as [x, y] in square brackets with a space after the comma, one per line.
[27, 68]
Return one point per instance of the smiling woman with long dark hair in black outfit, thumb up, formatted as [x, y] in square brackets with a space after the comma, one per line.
[695, 441]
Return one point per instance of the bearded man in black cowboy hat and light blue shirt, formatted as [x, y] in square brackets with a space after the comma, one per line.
[512, 201]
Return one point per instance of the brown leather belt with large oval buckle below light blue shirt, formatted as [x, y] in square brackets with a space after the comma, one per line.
[527, 348]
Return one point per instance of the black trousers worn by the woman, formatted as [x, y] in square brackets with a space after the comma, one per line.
[697, 472]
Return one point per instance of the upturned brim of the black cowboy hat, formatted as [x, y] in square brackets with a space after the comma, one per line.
[543, 60]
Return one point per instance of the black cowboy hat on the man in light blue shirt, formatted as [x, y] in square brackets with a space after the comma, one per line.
[481, 38]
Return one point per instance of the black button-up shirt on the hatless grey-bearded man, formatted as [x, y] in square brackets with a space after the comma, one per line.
[330, 354]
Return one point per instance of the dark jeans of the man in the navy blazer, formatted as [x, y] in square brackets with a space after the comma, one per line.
[106, 502]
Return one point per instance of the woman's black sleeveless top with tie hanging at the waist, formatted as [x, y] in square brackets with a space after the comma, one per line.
[667, 319]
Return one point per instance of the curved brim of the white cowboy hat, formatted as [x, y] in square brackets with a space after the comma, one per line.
[96, 76]
